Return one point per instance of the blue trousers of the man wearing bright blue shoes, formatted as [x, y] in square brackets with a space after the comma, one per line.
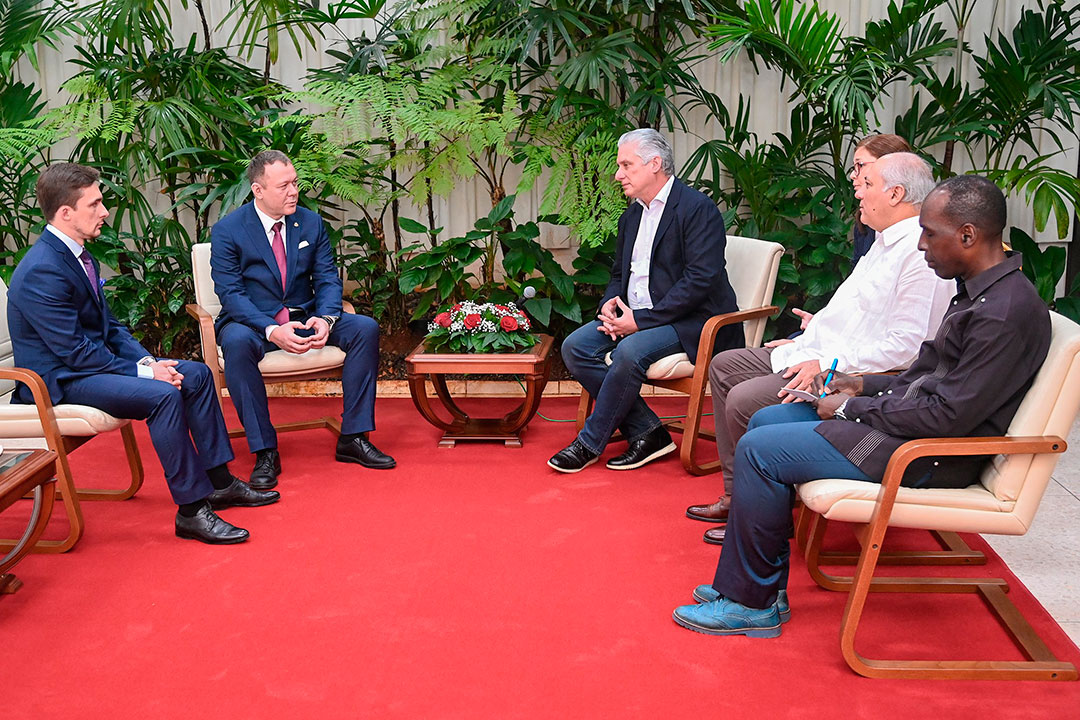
[780, 450]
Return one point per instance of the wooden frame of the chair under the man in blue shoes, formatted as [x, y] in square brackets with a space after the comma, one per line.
[1043, 664]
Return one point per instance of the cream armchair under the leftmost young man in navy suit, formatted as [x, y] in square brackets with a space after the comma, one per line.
[62, 429]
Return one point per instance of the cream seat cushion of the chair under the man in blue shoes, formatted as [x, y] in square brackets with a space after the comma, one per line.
[974, 509]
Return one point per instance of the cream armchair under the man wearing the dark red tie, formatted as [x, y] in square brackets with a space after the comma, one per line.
[278, 366]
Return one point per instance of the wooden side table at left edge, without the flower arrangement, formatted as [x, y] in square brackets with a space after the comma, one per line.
[22, 472]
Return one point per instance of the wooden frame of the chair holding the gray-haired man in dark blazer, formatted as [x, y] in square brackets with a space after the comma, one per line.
[695, 387]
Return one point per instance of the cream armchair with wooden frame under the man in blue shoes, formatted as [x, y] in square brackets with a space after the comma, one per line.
[1004, 502]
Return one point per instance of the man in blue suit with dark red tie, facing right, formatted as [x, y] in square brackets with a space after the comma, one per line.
[274, 271]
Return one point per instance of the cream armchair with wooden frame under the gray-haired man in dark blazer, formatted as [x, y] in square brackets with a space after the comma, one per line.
[752, 269]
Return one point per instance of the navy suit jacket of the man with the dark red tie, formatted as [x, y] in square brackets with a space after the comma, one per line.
[246, 273]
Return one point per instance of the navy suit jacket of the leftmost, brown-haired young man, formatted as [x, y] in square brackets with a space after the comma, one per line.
[61, 325]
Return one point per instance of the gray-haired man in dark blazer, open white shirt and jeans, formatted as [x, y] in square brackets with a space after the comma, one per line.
[668, 279]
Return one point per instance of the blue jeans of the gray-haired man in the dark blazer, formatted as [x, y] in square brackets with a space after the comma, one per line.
[617, 388]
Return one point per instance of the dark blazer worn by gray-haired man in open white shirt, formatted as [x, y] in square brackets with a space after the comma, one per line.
[688, 279]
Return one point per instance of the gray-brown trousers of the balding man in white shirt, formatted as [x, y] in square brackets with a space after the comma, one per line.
[742, 383]
